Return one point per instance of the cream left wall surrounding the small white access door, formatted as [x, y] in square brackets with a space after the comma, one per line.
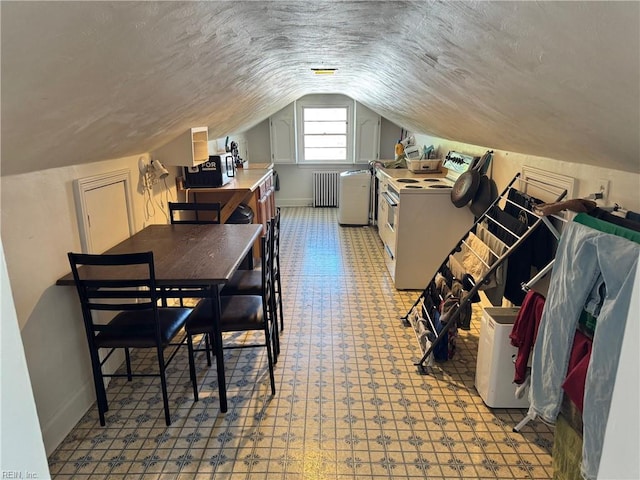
[39, 227]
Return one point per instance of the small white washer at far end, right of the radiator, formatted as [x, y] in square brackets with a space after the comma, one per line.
[354, 197]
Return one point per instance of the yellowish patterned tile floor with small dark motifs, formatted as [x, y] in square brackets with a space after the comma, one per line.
[349, 404]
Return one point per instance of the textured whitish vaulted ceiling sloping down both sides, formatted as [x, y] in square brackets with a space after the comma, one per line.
[89, 81]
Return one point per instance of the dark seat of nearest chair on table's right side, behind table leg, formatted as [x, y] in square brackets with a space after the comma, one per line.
[239, 313]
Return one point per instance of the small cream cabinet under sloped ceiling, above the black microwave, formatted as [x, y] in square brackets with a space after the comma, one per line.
[188, 150]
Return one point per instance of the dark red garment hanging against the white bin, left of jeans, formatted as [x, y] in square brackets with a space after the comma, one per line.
[525, 330]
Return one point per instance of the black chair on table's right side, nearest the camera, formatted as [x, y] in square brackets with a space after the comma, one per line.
[240, 313]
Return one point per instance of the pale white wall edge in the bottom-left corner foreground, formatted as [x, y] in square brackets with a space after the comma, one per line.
[22, 453]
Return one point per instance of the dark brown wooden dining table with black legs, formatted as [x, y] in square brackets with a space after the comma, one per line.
[197, 256]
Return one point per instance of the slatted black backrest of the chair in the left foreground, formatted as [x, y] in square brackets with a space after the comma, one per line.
[117, 283]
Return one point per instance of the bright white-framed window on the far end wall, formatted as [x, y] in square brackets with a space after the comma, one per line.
[325, 131]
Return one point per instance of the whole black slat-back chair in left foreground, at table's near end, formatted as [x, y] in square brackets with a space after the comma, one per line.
[124, 286]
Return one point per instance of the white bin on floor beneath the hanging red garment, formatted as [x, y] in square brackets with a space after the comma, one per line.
[495, 368]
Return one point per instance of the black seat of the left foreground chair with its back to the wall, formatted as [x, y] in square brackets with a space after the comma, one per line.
[137, 329]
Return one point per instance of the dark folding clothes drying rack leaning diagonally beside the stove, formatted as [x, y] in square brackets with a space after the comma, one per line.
[423, 312]
